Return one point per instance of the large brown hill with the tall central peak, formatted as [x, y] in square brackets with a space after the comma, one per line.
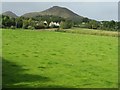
[56, 11]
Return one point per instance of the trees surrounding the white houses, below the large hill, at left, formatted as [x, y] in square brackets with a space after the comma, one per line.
[34, 23]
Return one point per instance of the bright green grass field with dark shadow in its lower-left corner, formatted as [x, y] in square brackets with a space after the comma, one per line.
[58, 59]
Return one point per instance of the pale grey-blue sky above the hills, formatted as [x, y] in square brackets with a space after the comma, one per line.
[93, 10]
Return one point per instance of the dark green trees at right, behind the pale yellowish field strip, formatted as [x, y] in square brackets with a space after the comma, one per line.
[104, 25]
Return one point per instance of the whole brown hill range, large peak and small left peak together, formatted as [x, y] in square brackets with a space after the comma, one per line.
[53, 11]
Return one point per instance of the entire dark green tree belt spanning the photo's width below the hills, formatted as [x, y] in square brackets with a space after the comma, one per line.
[38, 23]
